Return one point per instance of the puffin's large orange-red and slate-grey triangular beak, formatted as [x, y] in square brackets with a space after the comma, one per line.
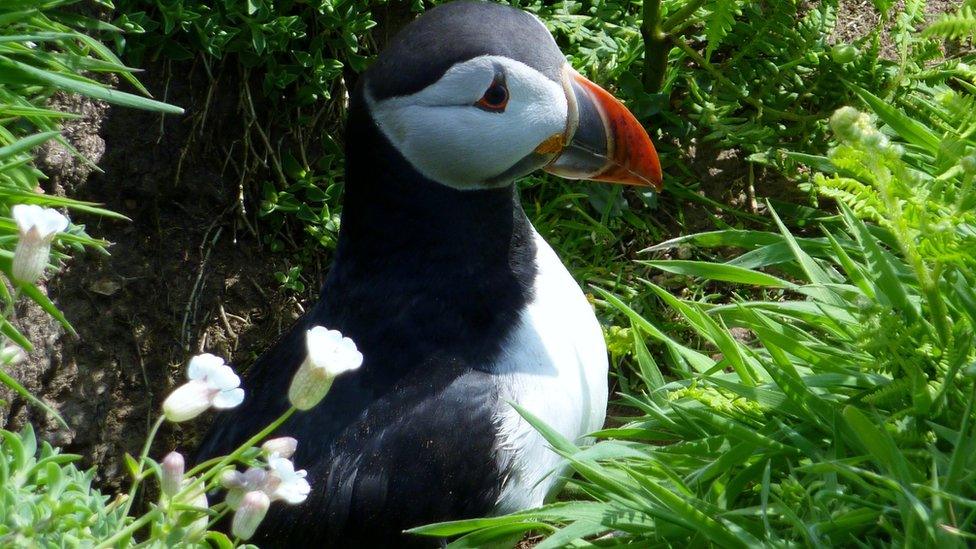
[603, 140]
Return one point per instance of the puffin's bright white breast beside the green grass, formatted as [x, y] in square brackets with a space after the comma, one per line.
[554, 365]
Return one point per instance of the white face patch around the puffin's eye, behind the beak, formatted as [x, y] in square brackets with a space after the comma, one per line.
[453, 131]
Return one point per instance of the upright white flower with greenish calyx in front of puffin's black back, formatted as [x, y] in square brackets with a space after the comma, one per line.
[329, 354]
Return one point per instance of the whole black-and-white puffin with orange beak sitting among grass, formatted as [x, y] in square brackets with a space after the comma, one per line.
[457, 304]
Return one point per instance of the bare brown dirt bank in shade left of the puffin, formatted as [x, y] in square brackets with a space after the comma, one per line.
[189, 273]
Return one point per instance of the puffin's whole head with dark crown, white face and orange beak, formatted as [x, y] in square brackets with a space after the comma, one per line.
[475, 95]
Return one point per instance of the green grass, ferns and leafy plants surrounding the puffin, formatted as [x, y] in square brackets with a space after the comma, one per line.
[803, 372]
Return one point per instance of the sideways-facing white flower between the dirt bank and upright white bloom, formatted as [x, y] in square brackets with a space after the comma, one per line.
[212, 383]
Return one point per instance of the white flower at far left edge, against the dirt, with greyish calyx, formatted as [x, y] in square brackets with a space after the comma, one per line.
[37, 227]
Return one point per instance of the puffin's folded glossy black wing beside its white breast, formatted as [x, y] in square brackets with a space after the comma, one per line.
[423, 453]
